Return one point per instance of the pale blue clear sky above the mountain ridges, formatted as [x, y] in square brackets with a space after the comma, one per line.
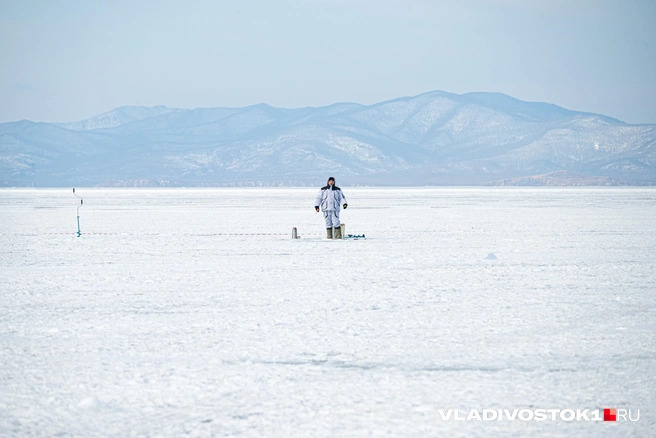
[69, 60]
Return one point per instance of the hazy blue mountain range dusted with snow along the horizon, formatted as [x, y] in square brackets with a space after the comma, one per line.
[436, 138]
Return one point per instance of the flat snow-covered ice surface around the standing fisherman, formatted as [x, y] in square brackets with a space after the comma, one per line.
[170, 316]
